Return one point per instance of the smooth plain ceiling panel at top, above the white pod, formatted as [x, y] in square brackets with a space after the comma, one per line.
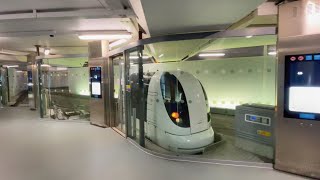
[183, 16]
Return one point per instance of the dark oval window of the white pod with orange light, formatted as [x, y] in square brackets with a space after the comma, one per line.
[175, 100]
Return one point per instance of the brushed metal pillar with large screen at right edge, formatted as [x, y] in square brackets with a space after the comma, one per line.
[298, 107]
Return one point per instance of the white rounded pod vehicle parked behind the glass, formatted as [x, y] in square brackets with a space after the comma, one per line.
[178, 116]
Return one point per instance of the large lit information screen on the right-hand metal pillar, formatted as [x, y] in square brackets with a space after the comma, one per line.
[302, 86]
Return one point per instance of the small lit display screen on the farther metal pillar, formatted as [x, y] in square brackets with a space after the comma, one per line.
[95, 82]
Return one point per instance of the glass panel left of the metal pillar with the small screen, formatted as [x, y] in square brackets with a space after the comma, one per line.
[66, 89]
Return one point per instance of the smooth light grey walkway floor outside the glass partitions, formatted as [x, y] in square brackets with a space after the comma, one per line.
[34, 149]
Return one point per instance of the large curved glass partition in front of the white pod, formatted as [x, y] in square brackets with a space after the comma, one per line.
[211, 98]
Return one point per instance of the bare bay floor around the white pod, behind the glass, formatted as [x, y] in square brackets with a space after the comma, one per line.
[224, 150]
